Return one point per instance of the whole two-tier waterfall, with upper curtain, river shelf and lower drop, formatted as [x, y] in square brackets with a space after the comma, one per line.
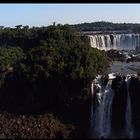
[115, 94]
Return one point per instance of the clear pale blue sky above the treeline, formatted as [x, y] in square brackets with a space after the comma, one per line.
[45, 14]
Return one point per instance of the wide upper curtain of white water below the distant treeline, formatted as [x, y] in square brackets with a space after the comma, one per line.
[114, 41]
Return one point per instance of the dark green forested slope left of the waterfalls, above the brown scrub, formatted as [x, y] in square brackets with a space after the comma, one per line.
[52, 71]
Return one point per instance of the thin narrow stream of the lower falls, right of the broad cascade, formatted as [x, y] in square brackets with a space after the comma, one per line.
[129, 126]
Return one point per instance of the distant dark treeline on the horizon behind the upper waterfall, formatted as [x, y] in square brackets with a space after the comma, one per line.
[107, 26]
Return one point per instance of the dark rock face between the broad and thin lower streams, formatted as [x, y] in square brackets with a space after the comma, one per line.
[119, 104]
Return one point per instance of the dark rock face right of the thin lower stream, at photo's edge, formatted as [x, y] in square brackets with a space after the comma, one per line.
[134, 90]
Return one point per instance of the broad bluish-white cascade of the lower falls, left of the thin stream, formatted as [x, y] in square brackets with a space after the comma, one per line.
[102, 117]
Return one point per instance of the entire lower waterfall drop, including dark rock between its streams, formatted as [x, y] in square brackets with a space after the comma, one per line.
[112, 107]
